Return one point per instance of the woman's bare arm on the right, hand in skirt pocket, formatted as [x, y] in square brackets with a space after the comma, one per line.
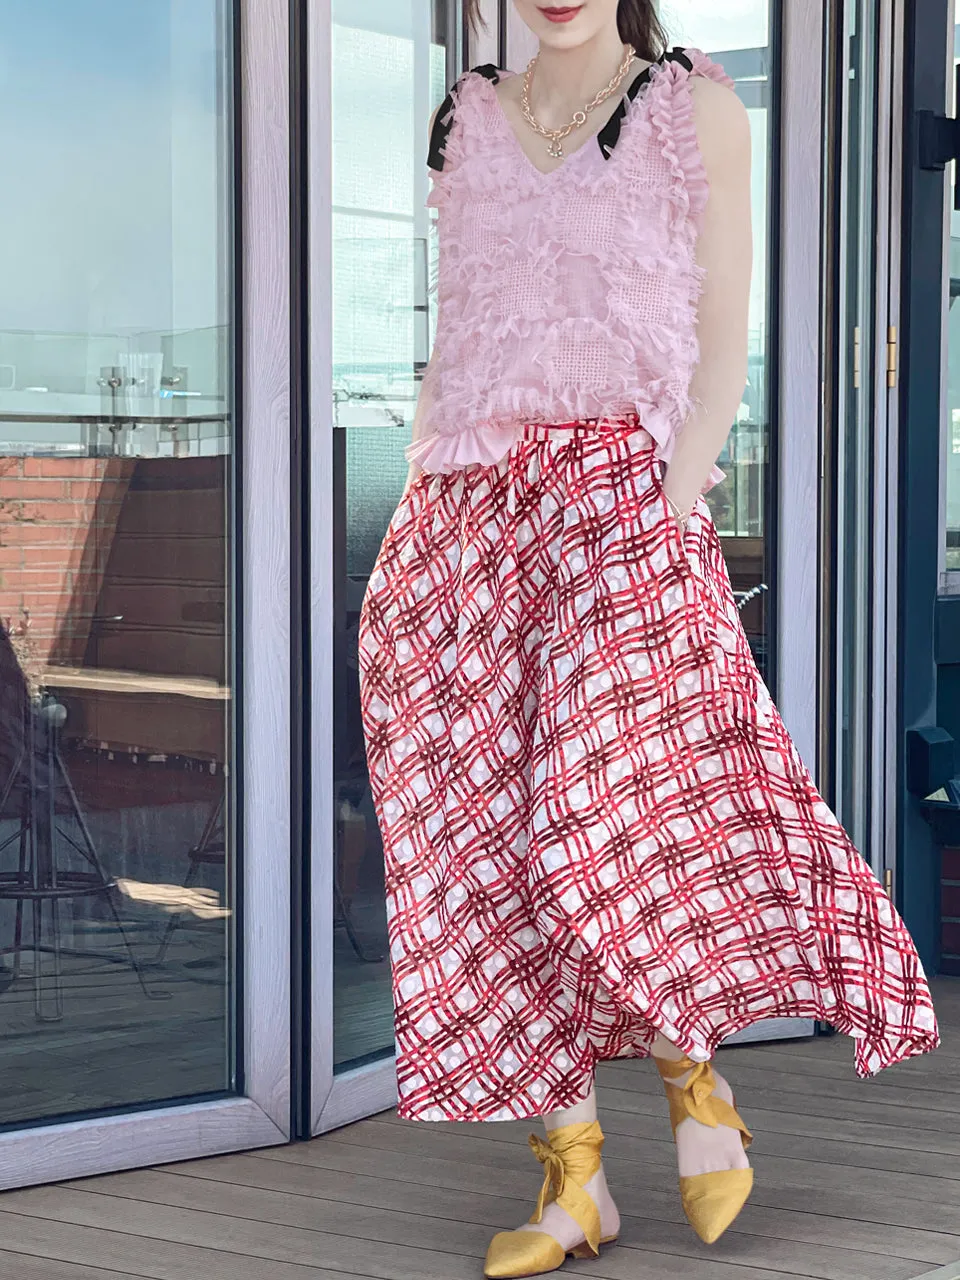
[725, 249]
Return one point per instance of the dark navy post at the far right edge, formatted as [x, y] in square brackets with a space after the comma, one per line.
[927, 707]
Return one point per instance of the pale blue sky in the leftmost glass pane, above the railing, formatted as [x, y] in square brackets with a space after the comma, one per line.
[112, 152]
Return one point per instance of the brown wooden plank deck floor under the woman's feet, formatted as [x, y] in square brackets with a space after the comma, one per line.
[856, 1181]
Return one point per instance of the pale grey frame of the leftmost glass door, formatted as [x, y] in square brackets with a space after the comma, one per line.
[260, 1116]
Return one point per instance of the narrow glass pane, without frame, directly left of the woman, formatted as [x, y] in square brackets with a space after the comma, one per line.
[390, 74]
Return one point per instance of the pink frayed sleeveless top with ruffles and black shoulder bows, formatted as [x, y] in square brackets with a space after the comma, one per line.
[573, 294]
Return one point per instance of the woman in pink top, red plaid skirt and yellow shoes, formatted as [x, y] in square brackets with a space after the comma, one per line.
[601, 842]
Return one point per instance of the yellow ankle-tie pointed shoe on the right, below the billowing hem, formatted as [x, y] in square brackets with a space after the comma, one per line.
[711, 1201]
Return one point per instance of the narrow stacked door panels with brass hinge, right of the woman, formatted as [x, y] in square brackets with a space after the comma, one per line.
[861, 440]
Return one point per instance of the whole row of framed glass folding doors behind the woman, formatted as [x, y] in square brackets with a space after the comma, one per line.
[216, 316]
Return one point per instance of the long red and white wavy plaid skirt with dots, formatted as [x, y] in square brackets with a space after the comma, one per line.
[596, 825]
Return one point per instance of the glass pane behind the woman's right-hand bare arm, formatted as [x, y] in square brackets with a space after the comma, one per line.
[739, 38]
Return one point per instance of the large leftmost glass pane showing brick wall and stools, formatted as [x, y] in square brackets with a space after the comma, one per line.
[116, 556]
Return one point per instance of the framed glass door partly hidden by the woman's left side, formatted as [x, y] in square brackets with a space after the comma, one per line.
[391, 66]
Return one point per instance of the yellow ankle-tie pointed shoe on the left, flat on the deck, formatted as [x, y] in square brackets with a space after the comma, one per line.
[572, 1156]
